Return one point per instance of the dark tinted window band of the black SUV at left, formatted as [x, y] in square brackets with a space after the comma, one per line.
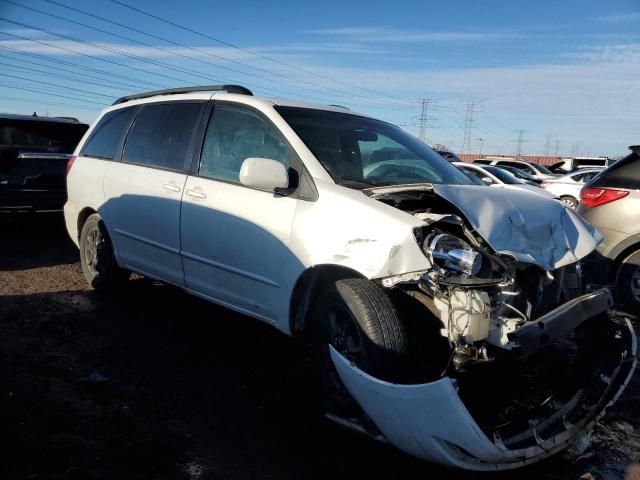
[40, 134]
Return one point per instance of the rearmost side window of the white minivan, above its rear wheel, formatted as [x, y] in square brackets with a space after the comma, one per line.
[107, 135]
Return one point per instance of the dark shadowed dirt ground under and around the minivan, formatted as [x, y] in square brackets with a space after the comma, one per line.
[148, 382]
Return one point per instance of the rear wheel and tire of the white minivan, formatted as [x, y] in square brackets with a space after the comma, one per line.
[96, 256]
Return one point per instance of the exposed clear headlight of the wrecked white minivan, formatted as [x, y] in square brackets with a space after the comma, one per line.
[449, 251]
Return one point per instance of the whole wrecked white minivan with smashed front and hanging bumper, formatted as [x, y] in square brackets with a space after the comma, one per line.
[440, 311]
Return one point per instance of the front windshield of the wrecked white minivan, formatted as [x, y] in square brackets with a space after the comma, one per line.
[360, 152]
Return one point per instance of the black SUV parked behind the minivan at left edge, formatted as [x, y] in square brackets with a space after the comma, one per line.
[34, 152]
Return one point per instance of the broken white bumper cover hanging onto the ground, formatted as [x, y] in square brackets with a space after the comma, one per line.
[431, 422]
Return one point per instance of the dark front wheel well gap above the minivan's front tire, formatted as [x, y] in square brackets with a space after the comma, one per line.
[306, 290]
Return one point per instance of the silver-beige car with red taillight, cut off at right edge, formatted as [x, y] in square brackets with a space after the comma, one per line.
[611, 203]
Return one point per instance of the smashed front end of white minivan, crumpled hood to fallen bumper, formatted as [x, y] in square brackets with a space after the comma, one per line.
[528, 355]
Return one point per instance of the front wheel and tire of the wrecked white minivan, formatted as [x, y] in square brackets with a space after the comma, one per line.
[358, 319]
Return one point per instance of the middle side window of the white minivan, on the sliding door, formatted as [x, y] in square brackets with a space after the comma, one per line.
[162, 134]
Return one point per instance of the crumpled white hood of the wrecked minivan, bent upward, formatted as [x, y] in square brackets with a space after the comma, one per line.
[529, 227]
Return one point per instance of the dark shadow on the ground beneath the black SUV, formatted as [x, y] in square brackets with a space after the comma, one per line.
[34, 240]
